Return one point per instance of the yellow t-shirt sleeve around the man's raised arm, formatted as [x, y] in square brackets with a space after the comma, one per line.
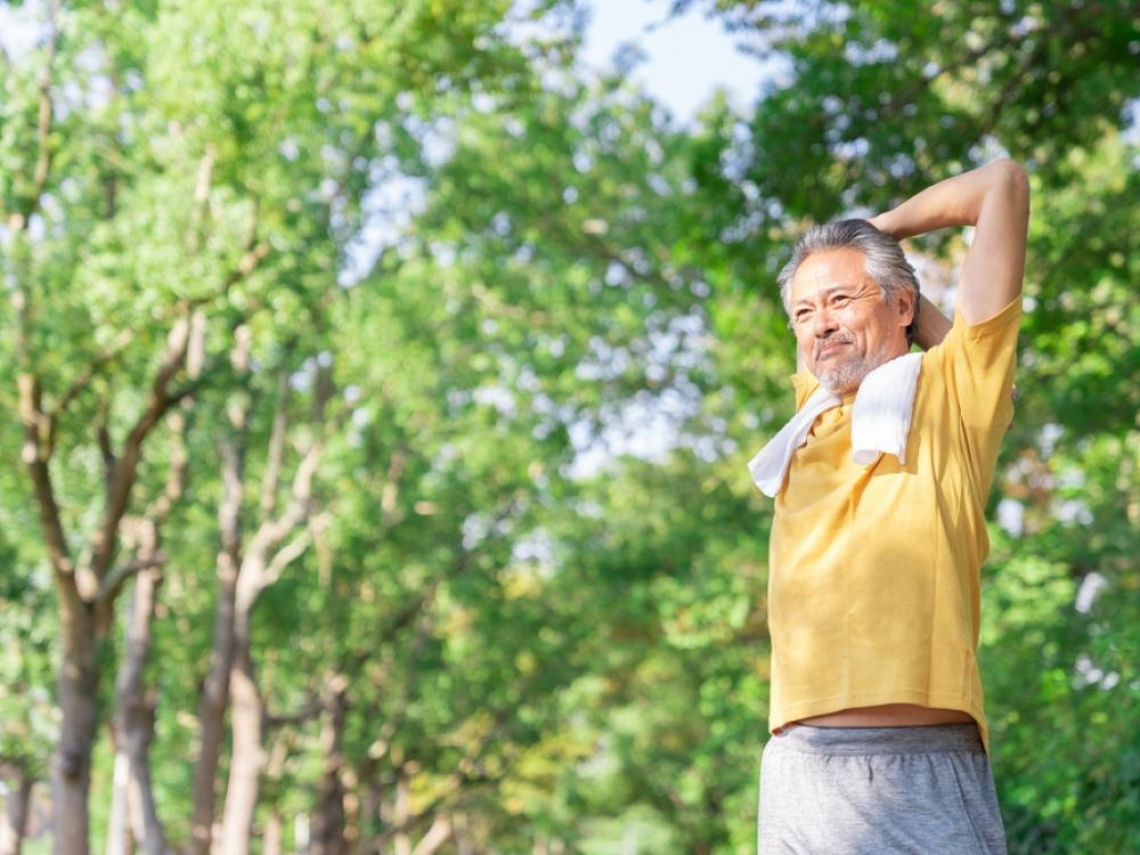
[976, 363]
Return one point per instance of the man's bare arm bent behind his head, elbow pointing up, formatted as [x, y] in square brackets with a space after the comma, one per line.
[996, 201]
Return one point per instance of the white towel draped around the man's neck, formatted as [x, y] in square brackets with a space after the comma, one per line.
[881, 422]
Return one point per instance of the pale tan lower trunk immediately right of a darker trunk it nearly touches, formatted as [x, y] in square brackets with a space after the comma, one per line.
[247, 754]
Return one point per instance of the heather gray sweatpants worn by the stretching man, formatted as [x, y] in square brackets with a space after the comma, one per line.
[878, 792]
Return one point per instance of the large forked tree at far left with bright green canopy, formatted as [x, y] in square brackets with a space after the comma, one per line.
[241, 164]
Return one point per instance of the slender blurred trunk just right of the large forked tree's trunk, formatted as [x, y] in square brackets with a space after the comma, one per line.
[134, 730]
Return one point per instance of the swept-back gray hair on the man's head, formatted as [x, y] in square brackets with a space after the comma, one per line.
[883, 260]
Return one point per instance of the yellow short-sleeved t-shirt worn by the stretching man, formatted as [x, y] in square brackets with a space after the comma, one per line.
[874, 582]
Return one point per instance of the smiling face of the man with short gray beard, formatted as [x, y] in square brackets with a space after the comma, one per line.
[844, 328]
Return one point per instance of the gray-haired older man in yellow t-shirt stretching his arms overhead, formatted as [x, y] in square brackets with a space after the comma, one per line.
[880, 735]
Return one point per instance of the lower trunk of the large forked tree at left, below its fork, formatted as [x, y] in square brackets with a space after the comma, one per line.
[71, 766]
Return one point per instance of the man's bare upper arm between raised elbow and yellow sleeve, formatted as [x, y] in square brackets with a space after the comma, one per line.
[996, 262]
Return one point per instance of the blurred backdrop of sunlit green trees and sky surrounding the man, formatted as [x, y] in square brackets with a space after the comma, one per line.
[380, 382]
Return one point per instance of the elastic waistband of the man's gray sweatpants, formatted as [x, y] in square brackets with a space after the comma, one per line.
[926, 739]
